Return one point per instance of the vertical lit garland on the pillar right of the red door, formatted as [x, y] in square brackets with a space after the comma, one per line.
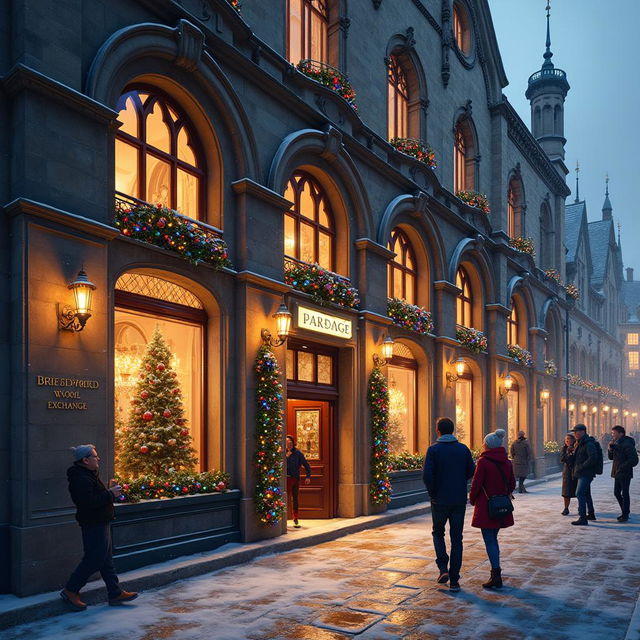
[378, 401]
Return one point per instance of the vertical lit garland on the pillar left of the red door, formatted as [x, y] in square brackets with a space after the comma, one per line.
[268, 458]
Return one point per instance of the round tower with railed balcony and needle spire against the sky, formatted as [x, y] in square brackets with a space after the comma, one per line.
[546, 92]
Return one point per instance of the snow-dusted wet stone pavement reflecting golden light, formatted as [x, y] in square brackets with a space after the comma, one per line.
[561, 582]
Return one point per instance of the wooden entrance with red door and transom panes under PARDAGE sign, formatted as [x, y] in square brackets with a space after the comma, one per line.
[311, 411]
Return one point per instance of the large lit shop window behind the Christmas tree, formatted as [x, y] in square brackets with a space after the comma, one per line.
[182, 327]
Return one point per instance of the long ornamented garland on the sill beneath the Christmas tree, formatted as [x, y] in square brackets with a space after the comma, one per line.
[152, 487]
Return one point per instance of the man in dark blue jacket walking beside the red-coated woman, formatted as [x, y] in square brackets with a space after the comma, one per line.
[448, 466]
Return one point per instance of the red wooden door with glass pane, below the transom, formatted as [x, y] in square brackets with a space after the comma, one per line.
[310, 422]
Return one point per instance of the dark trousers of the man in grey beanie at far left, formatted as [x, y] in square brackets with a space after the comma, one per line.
[96, 541]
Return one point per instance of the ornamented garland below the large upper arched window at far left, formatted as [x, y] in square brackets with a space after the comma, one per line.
[162, 227]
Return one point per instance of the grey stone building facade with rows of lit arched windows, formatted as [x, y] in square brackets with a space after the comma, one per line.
[203, 108]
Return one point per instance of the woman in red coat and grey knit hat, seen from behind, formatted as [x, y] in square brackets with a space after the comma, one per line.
[493, 477]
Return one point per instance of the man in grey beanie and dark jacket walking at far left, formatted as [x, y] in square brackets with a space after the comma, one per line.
[94, 514]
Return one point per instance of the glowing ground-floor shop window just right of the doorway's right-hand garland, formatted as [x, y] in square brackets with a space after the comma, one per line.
[401, 377]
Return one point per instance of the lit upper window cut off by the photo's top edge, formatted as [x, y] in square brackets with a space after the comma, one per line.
[308, 30]
